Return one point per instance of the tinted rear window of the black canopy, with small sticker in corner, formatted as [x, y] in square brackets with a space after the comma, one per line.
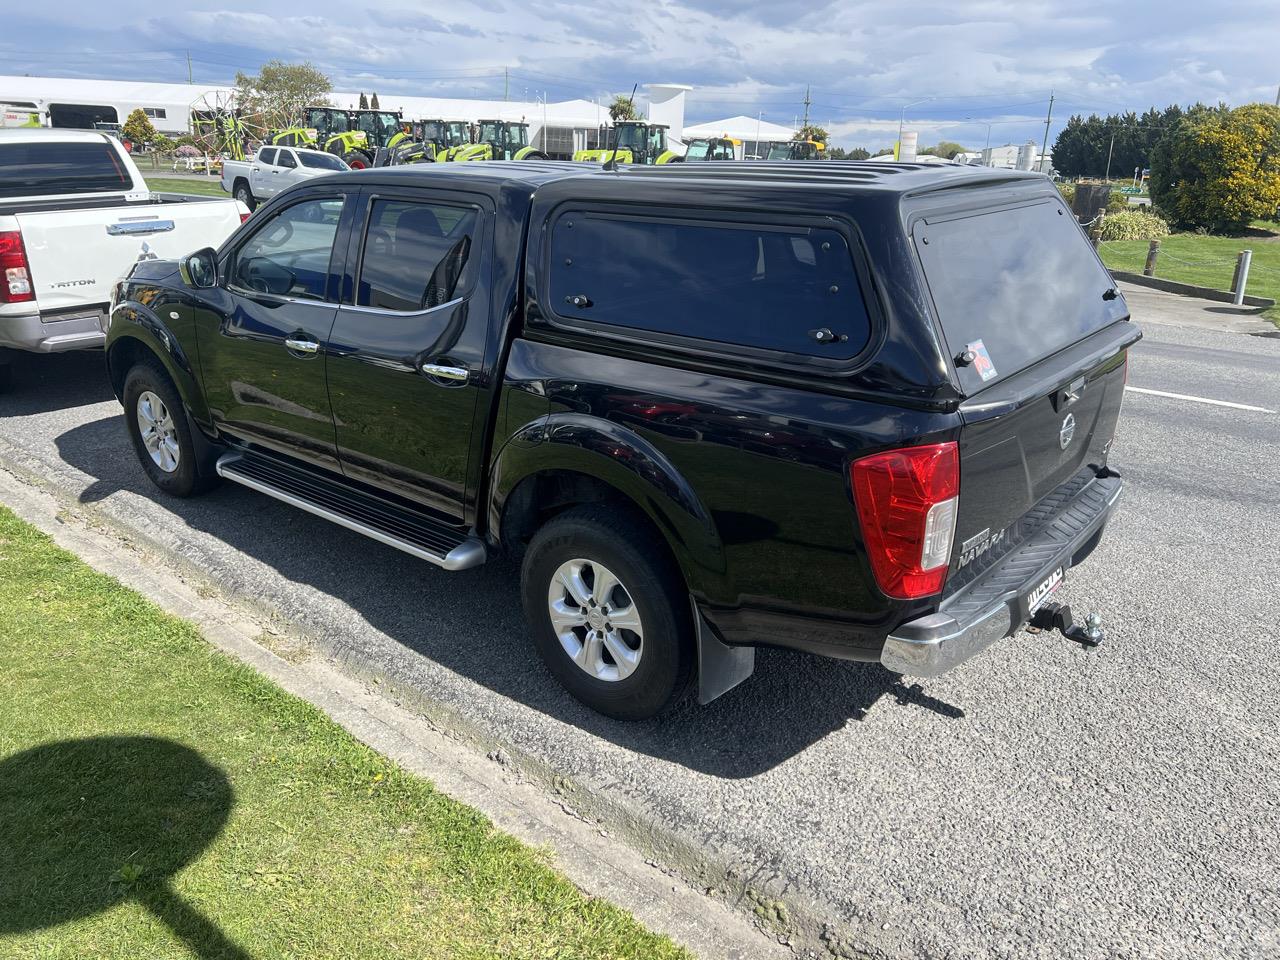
[1023, 281]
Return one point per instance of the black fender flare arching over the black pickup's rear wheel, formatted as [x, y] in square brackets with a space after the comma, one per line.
[629, 464]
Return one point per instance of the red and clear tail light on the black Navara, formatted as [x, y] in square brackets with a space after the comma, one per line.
[907, 506]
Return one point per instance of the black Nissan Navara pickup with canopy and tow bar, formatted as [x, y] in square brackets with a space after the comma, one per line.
[861, 410]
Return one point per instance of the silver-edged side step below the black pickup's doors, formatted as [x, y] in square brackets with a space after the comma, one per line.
[355, 509]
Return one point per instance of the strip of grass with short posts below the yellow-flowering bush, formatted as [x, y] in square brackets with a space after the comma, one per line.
[1209, 262]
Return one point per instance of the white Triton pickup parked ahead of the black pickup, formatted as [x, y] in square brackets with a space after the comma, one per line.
[75, 217]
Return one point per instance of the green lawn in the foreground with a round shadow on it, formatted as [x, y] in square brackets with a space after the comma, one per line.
[161, 801]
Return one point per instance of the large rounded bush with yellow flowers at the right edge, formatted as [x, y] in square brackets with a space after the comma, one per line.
[1219, 170]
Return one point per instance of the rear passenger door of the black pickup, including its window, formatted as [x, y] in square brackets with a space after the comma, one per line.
[406, 359]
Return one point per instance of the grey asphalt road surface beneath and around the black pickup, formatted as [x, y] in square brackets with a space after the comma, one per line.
[1041, 802]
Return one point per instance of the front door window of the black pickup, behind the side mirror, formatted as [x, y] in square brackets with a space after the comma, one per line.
[290, 255]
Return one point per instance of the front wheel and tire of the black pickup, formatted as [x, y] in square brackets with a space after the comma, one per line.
[150, 396]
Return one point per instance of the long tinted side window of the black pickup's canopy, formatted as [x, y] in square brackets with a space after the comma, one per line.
[747, 285]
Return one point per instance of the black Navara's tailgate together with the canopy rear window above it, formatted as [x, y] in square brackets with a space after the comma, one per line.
[1039, 340]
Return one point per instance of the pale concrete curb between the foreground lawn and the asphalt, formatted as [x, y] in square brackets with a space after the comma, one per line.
[760, 916]
